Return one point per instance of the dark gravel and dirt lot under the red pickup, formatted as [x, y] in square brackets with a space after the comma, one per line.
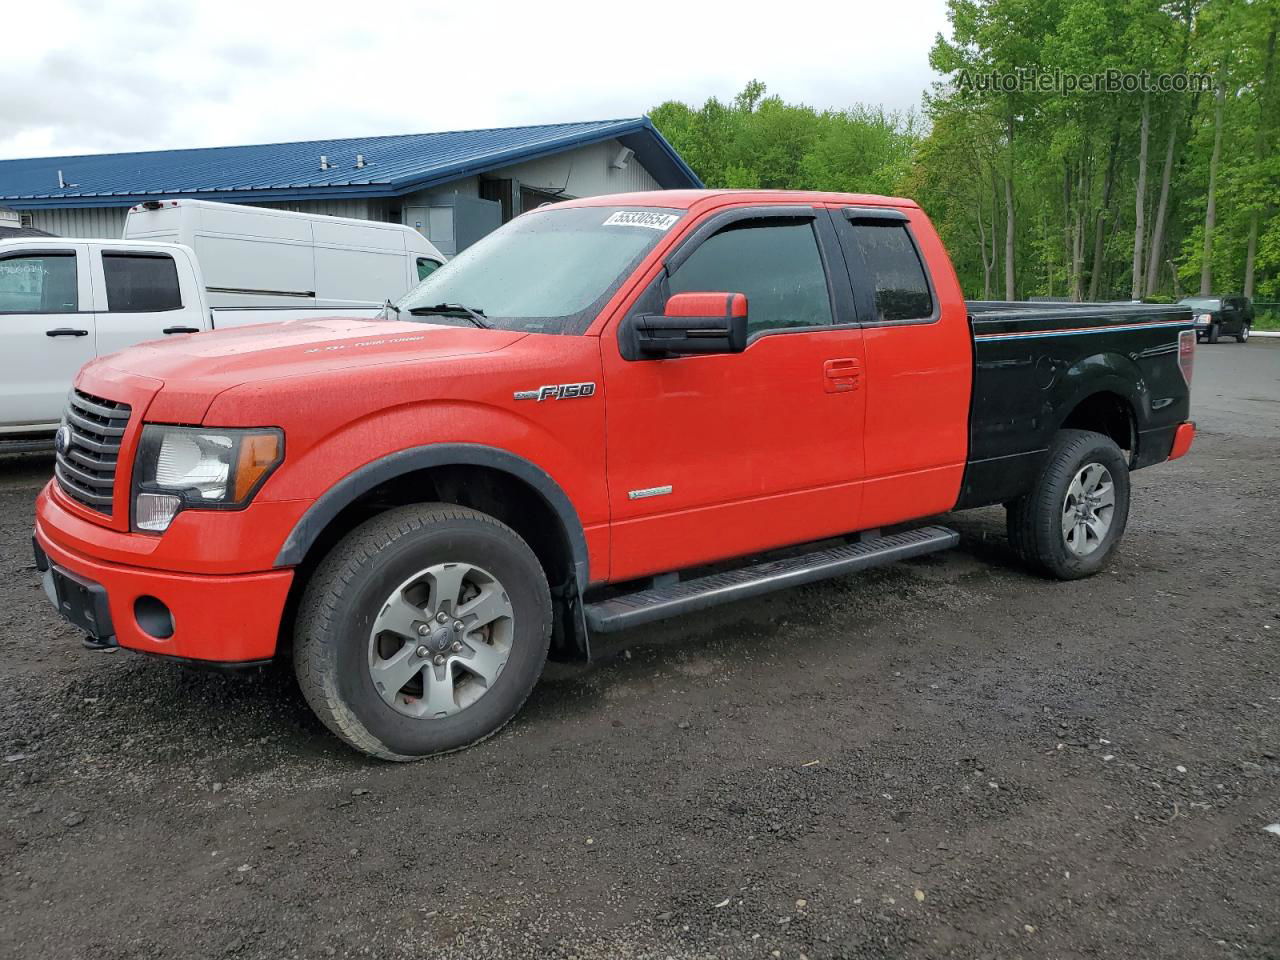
[944, 758]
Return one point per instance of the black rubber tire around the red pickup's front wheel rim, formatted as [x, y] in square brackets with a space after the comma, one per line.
[349, 591]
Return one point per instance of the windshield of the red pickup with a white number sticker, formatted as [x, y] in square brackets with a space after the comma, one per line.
[547, 272]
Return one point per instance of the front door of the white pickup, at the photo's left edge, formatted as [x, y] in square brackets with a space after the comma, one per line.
[47, 331]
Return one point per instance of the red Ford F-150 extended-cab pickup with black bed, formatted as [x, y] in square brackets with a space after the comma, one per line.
[606, 413]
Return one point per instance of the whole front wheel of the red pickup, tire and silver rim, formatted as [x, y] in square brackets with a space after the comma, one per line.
[423, 632]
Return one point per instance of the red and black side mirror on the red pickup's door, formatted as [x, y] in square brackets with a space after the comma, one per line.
[692, 323]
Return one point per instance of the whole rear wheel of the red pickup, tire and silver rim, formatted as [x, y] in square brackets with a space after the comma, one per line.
[1071, 522]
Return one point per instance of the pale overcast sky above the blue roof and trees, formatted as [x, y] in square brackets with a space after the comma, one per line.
[89, 77]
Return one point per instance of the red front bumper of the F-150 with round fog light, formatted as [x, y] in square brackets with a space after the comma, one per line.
[221, 619]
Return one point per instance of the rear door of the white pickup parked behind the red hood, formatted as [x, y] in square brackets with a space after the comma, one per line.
[144, 295]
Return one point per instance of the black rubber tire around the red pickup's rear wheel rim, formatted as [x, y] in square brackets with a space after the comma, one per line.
[1035, 520]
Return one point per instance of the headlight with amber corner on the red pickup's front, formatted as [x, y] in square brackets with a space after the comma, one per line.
[191, 468]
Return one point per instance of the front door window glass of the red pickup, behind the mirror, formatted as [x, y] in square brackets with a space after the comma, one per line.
[774, 262]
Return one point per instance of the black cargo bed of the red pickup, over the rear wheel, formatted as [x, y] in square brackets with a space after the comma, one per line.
[1060, 354]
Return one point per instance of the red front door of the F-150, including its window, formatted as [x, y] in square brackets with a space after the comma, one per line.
[719, 456]
